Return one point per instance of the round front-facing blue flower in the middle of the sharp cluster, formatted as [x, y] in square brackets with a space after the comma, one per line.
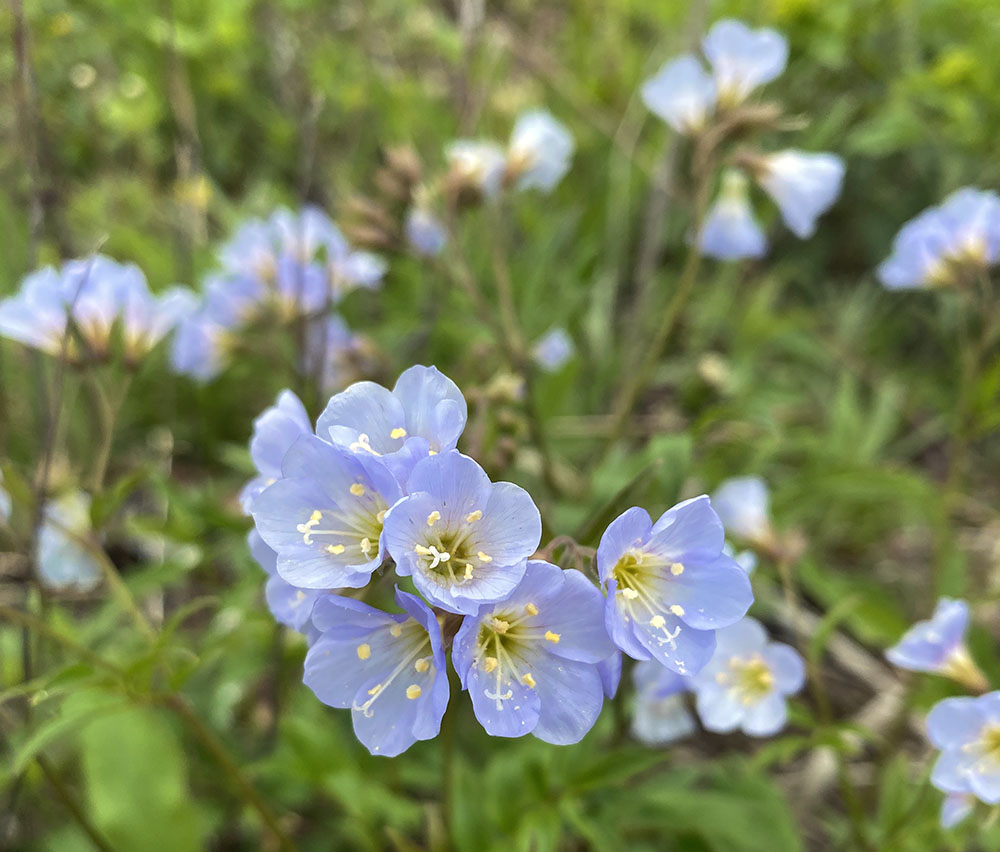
[465, 540]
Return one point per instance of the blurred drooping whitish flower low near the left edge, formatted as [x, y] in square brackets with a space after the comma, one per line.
[66, 558]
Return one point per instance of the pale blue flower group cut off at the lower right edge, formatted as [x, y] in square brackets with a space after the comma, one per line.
[967, 730]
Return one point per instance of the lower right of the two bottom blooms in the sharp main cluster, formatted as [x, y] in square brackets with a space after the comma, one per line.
[530, 663]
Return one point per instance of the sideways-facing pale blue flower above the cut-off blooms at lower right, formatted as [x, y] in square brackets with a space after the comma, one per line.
[938, 645]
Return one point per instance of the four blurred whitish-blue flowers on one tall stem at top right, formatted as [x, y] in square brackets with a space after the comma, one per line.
[693, 100]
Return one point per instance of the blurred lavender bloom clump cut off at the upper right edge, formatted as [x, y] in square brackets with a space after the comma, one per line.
[937, 247]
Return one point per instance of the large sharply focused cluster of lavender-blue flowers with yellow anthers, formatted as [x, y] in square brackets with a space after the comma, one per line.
[380, 482]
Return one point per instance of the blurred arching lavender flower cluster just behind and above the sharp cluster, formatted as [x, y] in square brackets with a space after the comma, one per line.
[287, 267]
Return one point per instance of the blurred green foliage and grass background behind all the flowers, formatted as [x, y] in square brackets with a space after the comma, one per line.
[151, 130]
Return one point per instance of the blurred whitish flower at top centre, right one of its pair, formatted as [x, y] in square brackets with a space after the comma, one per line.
[540, 151]
